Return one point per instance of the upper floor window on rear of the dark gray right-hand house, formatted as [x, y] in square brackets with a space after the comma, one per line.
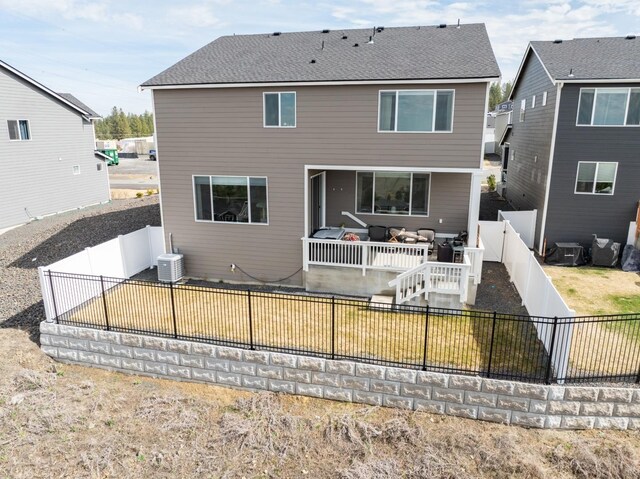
[609, 107]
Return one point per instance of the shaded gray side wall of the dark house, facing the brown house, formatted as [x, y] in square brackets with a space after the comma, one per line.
[526, 175]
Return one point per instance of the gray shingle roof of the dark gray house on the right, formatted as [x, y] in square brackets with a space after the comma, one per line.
[591, 58]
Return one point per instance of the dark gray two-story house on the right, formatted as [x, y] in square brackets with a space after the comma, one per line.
[574, 141]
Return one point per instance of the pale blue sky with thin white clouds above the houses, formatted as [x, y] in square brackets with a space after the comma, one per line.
[101, 50]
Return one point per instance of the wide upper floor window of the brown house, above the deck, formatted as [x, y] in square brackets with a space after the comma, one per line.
[416, 111]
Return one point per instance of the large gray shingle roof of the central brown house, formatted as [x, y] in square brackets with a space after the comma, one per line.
[398, 53]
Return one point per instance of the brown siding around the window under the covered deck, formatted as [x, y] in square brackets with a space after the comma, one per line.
[448, 201]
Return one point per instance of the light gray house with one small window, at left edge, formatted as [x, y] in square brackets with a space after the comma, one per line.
[47, 154]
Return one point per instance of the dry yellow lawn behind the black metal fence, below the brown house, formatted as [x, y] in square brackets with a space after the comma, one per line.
[298, 324]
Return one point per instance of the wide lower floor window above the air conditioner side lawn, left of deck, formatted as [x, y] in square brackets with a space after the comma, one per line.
[233, 199]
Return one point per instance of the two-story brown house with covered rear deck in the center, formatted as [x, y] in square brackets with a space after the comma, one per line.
[264, 139]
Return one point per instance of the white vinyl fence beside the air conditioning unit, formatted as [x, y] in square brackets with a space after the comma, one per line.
[121, 257]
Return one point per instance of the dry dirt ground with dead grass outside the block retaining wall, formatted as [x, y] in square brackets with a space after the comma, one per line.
[59, 420]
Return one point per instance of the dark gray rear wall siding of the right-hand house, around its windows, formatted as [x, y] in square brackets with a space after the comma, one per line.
[574, 217]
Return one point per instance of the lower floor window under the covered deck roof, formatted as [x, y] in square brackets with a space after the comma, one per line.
[394, 193]
